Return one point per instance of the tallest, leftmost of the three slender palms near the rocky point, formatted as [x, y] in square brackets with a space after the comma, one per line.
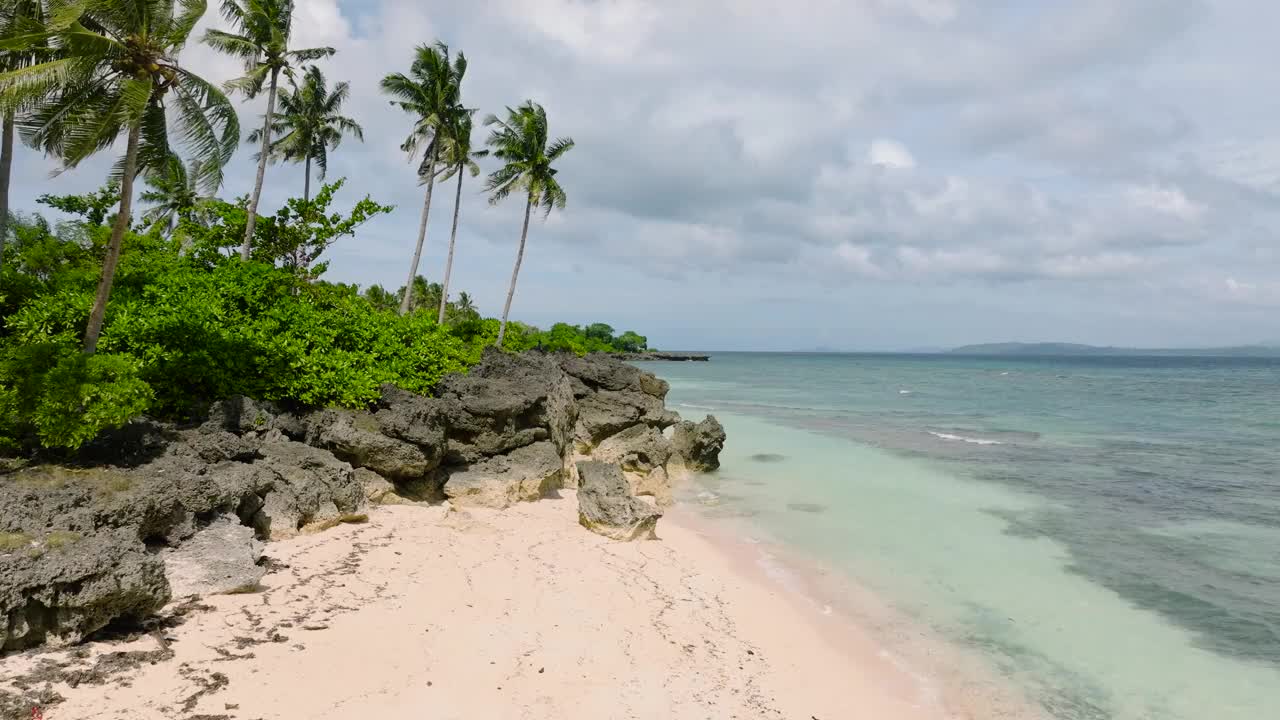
[431, 93]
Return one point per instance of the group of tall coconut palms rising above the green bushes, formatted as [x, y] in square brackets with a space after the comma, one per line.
[77, 76]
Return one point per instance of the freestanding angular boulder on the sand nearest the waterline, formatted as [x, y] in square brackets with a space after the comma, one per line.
[606, 505]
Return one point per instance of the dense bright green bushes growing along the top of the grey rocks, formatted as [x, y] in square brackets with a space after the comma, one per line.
[190, 322]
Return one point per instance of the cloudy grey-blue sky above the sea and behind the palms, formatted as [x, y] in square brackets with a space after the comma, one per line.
[847, 175]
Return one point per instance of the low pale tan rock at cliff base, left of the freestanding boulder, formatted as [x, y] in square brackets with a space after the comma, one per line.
[524, 475]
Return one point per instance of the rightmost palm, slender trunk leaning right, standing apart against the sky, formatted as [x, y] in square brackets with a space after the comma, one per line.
[520, 142]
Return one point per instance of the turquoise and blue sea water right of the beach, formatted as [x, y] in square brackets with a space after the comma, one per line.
[1104, 532]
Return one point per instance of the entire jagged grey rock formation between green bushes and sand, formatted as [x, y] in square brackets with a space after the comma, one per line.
[162, 512]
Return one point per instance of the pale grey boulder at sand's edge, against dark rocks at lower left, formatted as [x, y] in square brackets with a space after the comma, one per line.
[220, 559]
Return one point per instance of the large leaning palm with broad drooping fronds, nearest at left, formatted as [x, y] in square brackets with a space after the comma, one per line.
[117, 74]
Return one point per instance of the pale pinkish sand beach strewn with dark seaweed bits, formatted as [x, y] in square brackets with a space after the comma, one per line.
[520, 614]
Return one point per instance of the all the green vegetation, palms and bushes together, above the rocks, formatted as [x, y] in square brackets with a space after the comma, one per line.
[108, 313]
